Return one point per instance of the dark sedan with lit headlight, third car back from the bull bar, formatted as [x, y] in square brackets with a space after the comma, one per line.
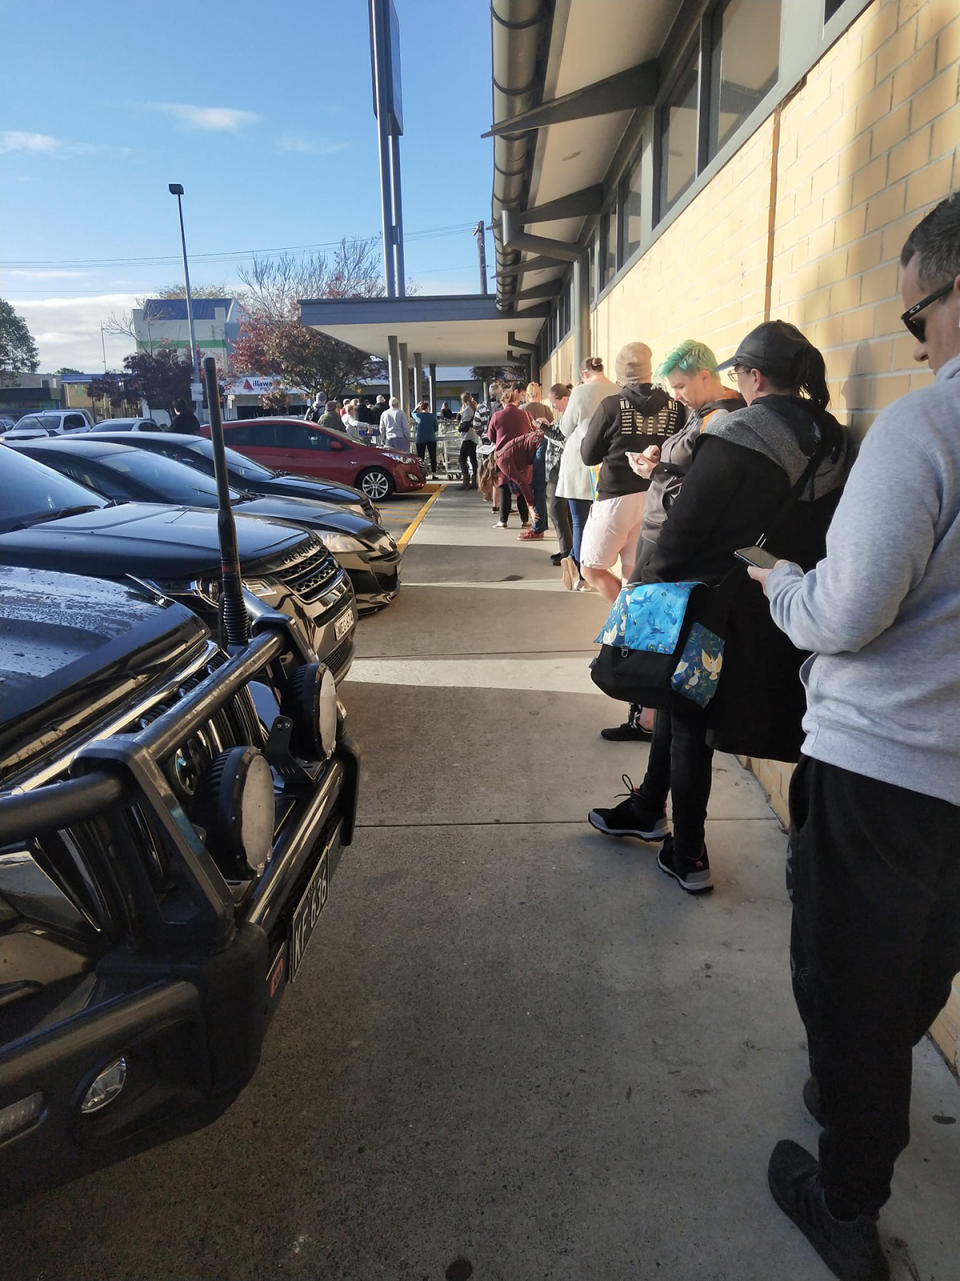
[130, 475]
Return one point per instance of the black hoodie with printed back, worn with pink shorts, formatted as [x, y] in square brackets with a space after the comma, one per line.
[629, 423]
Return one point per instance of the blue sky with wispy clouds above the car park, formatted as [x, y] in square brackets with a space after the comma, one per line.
[262, 112]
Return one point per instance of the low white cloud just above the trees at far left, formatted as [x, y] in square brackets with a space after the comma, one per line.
[67, 331]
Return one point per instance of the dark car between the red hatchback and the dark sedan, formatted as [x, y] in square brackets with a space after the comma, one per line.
[245, 475]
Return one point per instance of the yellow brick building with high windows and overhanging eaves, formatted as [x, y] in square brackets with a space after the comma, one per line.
[718, 163]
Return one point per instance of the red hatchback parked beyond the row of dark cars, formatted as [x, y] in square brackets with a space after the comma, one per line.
[306, 449]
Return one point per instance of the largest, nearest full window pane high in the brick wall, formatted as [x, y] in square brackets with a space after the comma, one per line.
[744, 63]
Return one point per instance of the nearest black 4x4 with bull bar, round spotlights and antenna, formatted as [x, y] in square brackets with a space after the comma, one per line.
[167, 844]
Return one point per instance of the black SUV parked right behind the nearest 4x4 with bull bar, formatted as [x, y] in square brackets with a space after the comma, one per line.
[51, 522]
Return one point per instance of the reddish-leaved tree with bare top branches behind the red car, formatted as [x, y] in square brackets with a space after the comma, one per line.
[275, 341]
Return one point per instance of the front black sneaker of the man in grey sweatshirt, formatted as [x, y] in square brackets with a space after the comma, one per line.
[852, 1250]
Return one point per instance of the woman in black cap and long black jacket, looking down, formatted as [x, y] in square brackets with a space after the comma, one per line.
[740, 486]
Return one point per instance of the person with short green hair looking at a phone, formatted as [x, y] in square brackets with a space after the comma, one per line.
[690, 368]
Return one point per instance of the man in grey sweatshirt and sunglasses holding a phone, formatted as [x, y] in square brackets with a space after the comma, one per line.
[875, 849]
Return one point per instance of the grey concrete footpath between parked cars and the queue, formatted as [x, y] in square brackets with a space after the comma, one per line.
[518, 1052]
